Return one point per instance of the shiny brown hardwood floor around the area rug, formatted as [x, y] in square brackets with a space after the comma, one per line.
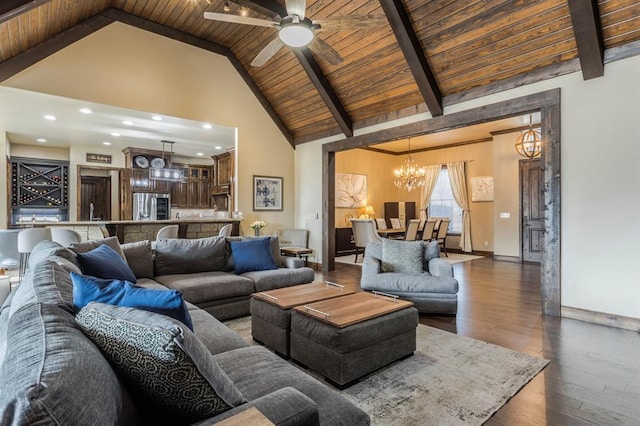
[594, 374]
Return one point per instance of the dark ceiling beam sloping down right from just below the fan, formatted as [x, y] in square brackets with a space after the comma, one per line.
[325, 90]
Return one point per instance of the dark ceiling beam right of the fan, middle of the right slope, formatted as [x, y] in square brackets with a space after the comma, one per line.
[410, 46]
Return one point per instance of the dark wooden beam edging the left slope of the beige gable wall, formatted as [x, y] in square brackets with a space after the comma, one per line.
[24, 60]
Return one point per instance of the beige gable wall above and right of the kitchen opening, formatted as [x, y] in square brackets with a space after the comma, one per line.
[131, 68]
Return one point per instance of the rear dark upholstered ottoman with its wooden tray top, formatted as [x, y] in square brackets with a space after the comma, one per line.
[271, 311]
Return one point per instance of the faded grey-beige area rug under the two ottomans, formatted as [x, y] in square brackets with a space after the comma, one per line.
[450, 380]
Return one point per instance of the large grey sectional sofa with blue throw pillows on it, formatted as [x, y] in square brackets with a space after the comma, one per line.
[54, 370]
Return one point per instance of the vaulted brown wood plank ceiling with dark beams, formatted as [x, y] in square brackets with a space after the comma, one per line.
[427, 54]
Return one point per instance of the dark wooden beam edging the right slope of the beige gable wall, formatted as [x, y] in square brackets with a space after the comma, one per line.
[135, 21]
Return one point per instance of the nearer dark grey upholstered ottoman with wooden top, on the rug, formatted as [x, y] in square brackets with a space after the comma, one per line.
[344, 354]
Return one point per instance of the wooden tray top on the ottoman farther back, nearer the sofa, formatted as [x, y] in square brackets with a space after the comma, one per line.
[289, 297]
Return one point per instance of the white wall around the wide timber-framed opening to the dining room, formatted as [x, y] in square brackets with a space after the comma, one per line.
[599, 183]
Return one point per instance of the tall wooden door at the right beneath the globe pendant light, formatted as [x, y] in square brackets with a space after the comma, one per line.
[532, 207]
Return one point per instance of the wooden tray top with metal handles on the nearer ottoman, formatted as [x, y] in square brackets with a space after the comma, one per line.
[352, 309]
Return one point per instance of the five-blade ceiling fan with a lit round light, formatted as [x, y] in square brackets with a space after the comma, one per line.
[296, 30]
